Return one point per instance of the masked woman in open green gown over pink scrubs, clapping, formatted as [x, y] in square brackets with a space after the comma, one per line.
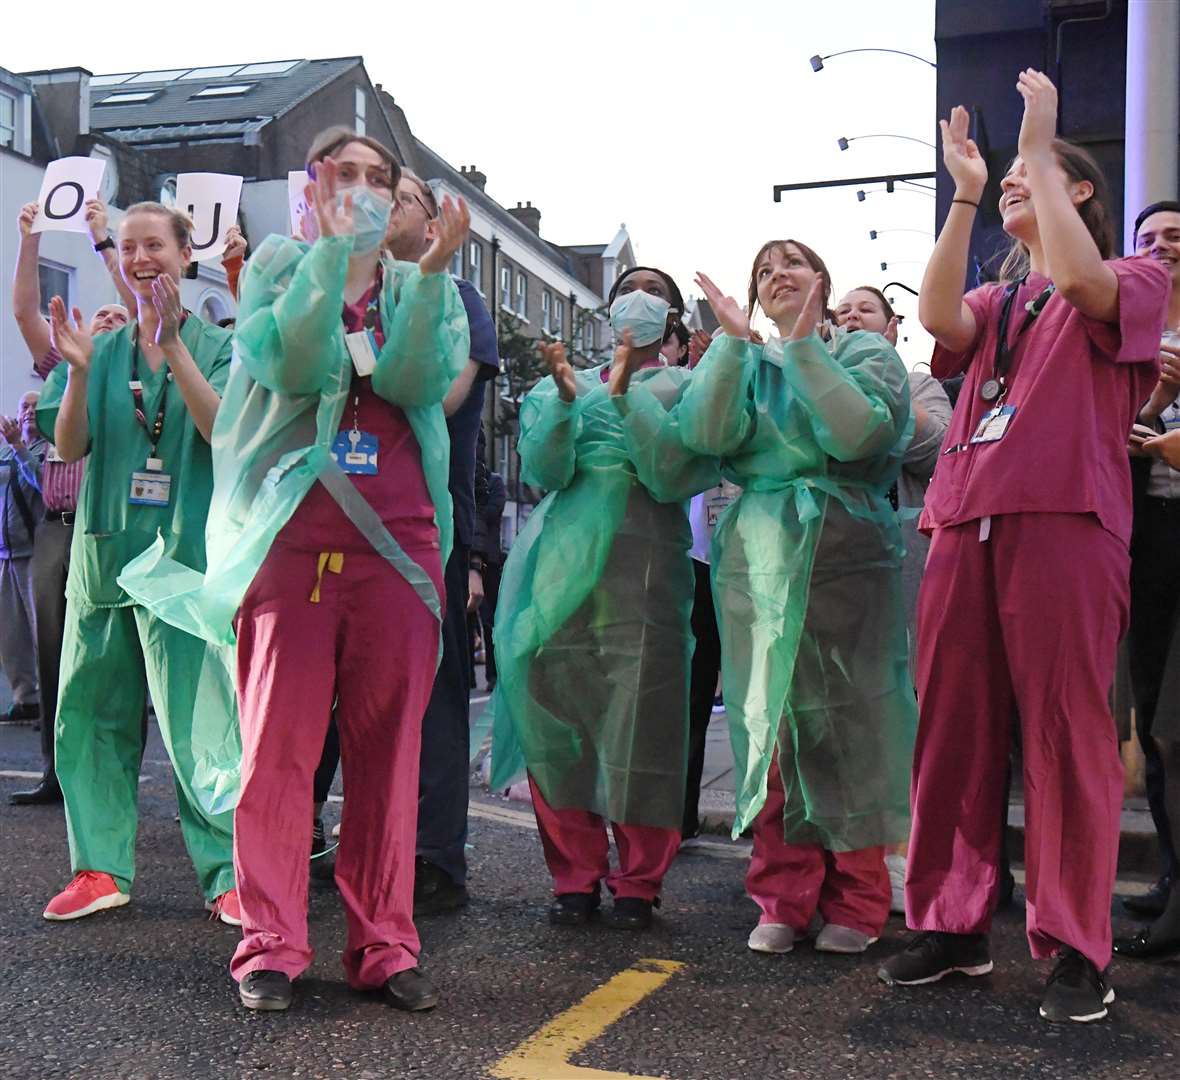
[327, 535]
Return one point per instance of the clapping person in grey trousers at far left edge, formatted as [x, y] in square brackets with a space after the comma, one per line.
[22, 454]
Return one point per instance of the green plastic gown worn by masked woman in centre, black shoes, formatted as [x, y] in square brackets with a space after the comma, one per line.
[593, 637]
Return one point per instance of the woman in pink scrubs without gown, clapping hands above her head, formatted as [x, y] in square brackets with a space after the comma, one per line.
[1026, 592]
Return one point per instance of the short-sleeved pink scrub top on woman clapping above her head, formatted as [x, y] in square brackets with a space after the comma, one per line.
[1078, 385]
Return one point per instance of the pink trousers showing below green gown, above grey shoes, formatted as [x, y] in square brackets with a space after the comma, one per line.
[792, 882]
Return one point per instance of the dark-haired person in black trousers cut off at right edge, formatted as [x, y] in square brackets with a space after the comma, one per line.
[1153, 643]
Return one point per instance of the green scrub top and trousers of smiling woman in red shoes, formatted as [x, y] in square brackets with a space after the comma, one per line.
[112, 645]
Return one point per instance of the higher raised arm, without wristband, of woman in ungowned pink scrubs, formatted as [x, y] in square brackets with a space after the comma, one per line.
[1073, 261]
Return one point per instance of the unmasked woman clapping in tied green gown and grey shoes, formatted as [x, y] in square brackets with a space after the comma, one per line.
[807, 578]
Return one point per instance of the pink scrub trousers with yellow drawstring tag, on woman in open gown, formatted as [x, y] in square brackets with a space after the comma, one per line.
[371, 646]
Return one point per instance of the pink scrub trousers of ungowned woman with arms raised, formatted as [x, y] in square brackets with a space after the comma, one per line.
[1031, 619]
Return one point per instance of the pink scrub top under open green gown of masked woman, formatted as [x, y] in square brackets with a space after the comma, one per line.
[398, 493]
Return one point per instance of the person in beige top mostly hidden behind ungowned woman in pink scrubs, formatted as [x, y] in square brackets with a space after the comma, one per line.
[866, 309]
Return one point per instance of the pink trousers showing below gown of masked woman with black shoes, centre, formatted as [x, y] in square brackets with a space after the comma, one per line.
[578, 852]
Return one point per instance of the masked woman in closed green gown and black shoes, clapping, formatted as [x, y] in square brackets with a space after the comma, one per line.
[593, 638]
